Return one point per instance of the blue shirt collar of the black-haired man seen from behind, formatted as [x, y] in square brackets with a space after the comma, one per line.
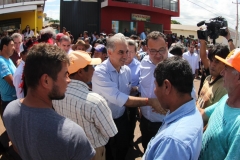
[180, 112]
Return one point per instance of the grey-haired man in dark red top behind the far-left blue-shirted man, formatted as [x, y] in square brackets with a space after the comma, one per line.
[17, 39]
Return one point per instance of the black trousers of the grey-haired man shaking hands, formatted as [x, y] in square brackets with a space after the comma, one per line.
[117, 146]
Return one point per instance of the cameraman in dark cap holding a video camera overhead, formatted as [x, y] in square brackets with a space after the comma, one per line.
[212, 90]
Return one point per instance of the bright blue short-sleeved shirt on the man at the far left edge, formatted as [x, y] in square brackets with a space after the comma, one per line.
[7, 67]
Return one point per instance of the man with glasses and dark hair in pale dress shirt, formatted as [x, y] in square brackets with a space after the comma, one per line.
[157, 52]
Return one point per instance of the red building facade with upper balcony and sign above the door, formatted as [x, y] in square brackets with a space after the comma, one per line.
[135, 16]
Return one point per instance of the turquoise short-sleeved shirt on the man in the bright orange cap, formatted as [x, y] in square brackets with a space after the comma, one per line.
[222, 136]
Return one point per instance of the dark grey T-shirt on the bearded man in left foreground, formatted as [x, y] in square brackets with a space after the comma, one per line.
[41, 133]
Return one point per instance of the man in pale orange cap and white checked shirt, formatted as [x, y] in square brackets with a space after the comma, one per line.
[86, 108]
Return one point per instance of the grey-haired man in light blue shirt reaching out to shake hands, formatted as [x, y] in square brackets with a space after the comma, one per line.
[112, 80]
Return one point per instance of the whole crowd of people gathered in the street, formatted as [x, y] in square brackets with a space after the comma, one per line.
[79, 99]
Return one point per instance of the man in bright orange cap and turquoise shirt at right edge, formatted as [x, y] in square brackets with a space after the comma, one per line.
[221, 139]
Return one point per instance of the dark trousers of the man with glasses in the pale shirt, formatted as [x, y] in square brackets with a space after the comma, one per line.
[148, 129]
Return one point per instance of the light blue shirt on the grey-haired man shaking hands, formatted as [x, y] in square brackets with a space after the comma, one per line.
[114, 86]
